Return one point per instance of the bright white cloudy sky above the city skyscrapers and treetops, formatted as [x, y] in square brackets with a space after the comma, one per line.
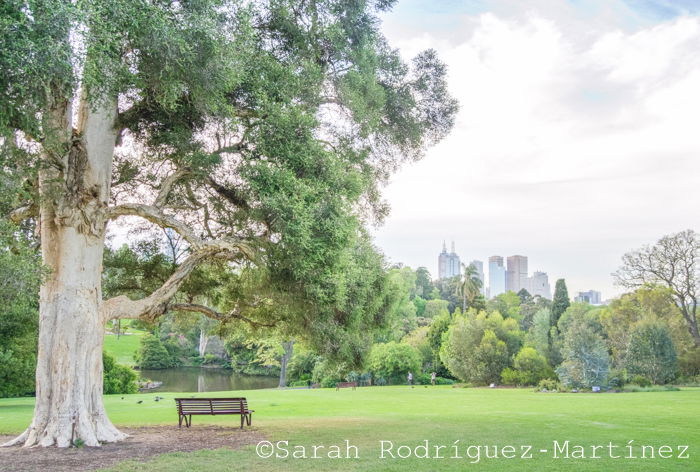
[578, 137]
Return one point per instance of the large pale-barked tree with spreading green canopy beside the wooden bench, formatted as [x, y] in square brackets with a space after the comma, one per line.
[260, 132]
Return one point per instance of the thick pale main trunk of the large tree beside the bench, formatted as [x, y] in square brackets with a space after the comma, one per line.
[71, 323]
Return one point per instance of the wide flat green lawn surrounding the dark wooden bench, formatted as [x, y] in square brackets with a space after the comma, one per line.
[441, 415]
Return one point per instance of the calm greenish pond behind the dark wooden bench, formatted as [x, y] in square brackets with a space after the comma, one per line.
[198, 379]
